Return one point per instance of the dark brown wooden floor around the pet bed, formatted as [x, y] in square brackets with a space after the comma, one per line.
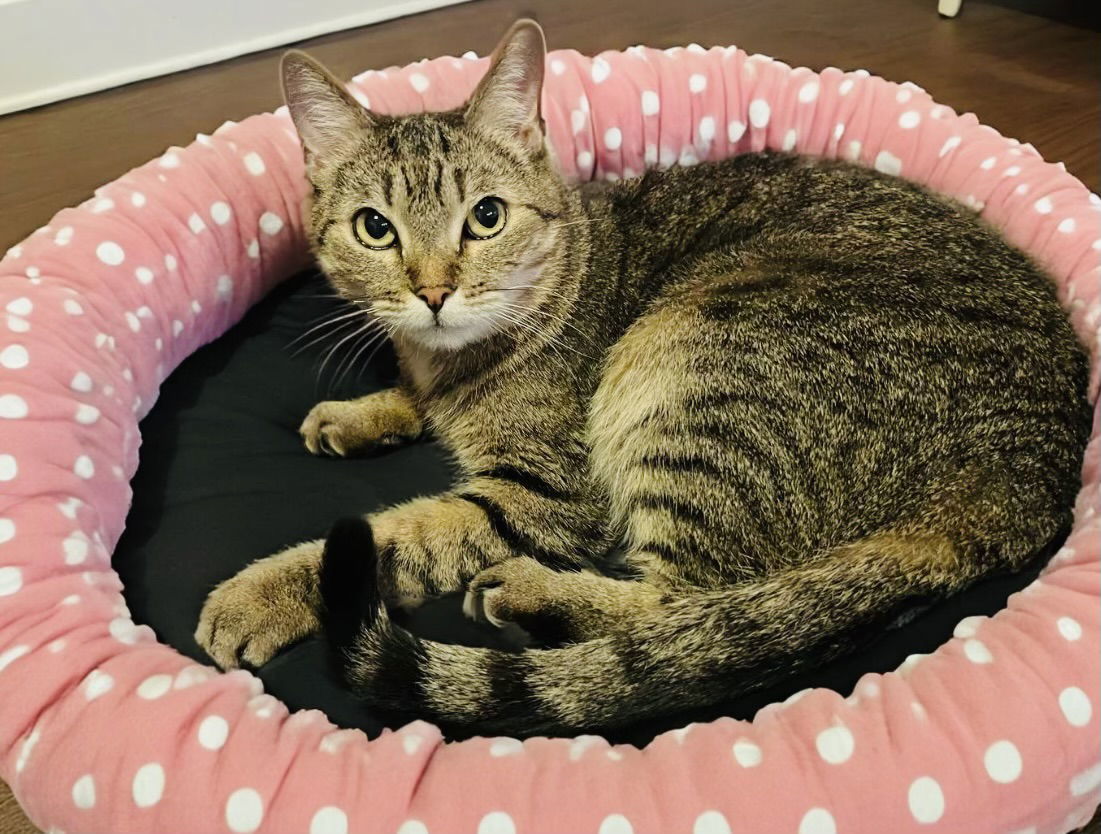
[1030, 78]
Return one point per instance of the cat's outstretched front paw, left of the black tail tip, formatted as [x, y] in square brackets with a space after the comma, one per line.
[269, 605]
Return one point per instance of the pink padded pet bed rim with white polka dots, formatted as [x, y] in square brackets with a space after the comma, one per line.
[102, 729]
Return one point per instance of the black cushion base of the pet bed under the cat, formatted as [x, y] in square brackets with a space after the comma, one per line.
[224, 480]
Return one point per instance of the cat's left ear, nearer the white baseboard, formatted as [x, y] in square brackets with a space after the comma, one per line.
[326, 117]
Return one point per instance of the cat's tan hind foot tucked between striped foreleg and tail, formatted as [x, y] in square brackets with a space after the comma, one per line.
[558, 608]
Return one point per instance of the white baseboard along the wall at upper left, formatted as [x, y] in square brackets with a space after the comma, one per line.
[52, 50]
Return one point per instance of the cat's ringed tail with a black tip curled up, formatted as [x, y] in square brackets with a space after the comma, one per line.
[695, 652]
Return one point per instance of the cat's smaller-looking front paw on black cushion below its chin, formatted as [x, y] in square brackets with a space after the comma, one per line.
[354, 427]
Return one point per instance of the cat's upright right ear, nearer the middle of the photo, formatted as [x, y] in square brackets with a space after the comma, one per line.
[508, 99]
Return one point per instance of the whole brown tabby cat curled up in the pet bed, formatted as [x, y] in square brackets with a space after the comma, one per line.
[800, 394]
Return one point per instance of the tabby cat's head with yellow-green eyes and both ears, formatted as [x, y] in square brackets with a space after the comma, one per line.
[448, 225]
